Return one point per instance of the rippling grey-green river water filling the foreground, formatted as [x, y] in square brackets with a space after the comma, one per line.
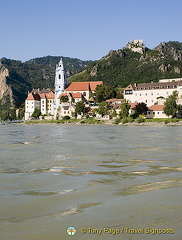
[122, 178]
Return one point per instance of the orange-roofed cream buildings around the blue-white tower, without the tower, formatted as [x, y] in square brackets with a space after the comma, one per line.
[45, 100]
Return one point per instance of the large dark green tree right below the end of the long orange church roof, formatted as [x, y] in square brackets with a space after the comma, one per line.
[103, 93]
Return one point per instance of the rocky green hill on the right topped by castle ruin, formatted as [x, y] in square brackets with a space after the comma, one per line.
[124, 66]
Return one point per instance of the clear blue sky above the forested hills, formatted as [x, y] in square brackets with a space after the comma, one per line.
[84, 29]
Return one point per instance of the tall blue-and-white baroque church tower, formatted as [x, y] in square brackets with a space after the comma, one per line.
[61, 81]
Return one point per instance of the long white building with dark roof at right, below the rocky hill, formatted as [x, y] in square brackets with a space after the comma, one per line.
[152, 93]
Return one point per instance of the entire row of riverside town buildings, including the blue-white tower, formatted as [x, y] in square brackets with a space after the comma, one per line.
[50, 104]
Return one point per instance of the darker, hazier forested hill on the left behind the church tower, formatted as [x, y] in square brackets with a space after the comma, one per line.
[21, 77]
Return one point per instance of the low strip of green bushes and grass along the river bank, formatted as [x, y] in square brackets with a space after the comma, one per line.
[128, 121]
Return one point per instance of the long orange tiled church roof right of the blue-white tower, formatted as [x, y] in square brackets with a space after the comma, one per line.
[83, 86]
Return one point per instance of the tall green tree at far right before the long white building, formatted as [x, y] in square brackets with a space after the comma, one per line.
[170, 105]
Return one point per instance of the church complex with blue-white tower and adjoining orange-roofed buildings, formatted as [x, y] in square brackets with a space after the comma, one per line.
[49, 102]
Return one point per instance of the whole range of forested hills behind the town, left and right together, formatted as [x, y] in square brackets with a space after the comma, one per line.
[118, 69]
